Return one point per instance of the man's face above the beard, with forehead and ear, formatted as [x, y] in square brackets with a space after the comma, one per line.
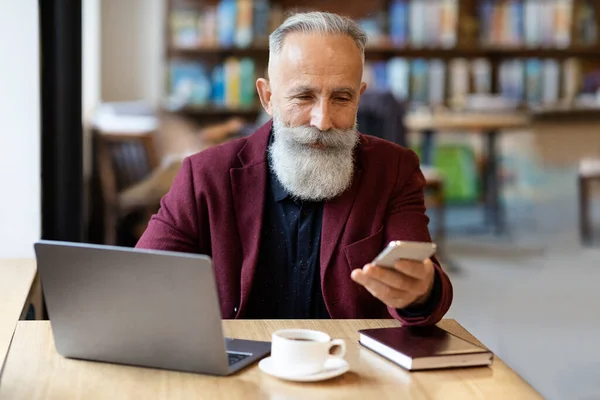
[315, 81]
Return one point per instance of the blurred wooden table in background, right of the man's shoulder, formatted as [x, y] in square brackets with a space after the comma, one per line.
[489, 124]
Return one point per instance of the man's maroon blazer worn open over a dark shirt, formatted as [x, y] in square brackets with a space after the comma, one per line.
[215, 207]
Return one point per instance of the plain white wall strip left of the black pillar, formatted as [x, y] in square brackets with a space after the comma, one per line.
[20, 199]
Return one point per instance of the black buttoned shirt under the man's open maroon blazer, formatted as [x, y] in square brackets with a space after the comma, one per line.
[287, 284]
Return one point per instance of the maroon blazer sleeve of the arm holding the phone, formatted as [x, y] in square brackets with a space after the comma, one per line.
[406, 220]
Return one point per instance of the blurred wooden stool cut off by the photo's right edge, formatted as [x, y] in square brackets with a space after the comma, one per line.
[589, 172]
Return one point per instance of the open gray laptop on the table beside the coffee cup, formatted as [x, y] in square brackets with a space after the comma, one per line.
[138, 307]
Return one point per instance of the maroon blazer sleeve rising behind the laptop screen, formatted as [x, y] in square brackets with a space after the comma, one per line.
[175, 226]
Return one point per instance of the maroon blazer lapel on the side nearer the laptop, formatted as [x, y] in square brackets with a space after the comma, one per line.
[248, 186]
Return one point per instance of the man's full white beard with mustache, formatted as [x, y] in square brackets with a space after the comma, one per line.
[309, 173]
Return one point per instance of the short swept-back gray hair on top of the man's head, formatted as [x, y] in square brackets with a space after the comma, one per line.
[317, 22]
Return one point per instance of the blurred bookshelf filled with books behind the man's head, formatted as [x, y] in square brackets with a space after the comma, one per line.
[532, 52]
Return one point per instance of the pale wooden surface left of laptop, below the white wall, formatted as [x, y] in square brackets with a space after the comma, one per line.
[16, 277]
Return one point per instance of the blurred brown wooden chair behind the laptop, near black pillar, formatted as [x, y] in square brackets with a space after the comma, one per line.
[123, 159]
